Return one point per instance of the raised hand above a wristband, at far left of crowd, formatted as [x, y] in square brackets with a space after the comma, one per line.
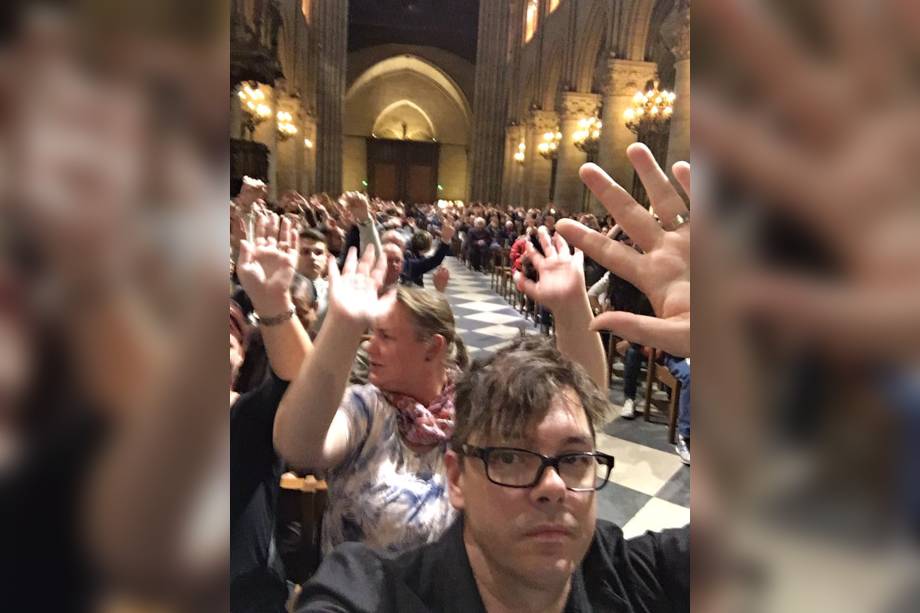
[267, 263]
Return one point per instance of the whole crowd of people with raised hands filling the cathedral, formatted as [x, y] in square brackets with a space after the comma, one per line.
[439, 484]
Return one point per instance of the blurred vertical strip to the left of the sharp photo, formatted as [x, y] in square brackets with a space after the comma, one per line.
[113, 242]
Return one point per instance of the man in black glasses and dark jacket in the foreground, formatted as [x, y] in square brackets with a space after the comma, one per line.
[523, 470]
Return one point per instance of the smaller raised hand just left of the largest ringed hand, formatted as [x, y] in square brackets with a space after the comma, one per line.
[562, 277]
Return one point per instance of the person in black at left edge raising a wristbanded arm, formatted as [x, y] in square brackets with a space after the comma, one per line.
[266, 270]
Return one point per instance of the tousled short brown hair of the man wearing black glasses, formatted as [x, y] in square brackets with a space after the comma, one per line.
[505, 395]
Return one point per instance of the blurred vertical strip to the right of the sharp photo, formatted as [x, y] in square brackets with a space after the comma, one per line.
[806, 131]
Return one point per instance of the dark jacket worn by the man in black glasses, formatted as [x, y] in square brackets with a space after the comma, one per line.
[648, 574]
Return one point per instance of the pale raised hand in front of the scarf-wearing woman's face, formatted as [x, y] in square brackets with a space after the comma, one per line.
[353, 291]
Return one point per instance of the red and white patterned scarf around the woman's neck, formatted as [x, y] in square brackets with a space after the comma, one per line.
[426, 426]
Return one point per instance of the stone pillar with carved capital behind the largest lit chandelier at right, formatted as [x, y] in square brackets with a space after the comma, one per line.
[624, 78]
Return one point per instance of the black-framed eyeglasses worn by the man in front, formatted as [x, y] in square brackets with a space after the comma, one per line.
[511, 467]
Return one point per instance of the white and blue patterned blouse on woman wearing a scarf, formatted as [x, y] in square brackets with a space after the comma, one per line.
[384, 494]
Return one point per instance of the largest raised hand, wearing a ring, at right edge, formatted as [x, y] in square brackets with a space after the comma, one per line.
[662, 271]
